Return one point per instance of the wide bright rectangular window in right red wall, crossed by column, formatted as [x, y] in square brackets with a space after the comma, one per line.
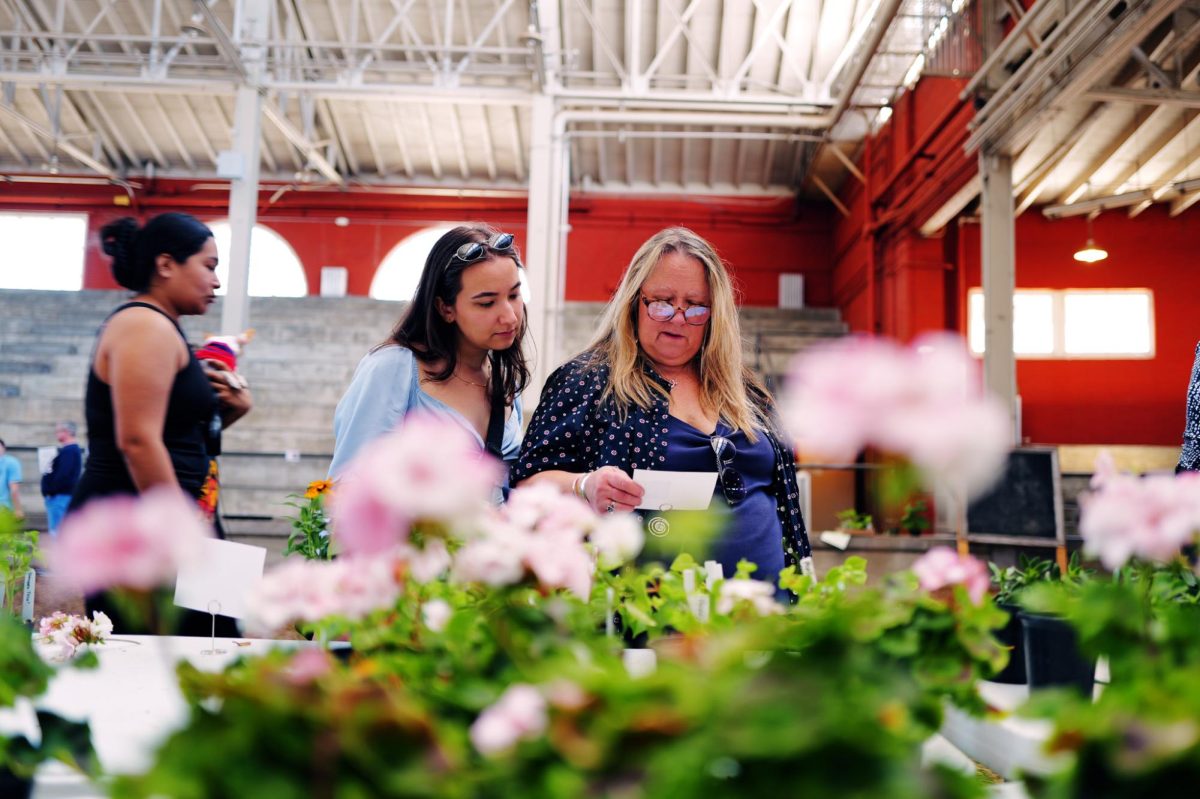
[1075, 323]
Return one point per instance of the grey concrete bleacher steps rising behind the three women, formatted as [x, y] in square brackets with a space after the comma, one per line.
[299, 365]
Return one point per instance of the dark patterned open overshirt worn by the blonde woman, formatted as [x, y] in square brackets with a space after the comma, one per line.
[577, 429]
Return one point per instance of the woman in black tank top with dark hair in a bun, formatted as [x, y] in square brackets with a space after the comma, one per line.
[154, 413]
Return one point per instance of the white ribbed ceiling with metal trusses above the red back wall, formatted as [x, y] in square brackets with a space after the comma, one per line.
[669, 95]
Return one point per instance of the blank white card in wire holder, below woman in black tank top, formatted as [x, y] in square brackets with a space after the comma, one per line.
[224, 572]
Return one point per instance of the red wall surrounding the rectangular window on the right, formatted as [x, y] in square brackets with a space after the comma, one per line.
[1109, 401]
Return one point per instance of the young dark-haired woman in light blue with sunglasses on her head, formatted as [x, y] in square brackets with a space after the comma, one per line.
[457, 351]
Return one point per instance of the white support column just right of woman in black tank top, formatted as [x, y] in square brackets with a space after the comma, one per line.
[251, 33]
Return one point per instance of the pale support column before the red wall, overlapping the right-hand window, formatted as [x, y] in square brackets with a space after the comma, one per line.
[999, 280]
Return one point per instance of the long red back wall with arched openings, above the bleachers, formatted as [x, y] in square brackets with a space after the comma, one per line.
[760, 238]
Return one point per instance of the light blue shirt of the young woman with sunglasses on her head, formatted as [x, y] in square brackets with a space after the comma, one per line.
[387, 388]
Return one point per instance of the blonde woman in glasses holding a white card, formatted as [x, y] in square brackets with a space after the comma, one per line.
[663, 387]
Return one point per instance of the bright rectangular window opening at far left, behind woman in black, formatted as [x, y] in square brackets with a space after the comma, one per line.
[44, 251]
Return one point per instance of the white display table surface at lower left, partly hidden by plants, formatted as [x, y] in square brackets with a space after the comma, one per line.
[133, 702]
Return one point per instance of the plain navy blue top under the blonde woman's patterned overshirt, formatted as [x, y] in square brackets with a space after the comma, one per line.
[753, 532]
